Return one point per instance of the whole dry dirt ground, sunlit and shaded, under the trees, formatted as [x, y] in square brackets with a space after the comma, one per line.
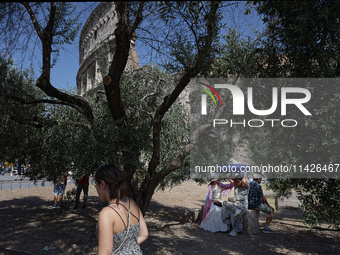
[28, 224]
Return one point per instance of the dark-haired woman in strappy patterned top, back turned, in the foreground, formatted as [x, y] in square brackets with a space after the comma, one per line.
[121, 226]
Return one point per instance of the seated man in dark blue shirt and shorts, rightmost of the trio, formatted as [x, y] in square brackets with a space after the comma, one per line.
[257, 201]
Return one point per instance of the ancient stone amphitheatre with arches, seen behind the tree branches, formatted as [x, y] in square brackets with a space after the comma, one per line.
[97, 46]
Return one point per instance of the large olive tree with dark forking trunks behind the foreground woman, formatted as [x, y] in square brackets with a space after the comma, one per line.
[190, 40]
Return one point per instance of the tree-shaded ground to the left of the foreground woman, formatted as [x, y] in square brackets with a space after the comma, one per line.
[31, 225]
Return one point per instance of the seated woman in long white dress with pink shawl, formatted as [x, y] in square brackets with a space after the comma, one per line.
[212, 217]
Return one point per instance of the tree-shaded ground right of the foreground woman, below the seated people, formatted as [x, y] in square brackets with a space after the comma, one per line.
[168, 236]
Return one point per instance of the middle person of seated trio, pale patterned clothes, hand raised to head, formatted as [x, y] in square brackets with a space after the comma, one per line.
[233, 211]
